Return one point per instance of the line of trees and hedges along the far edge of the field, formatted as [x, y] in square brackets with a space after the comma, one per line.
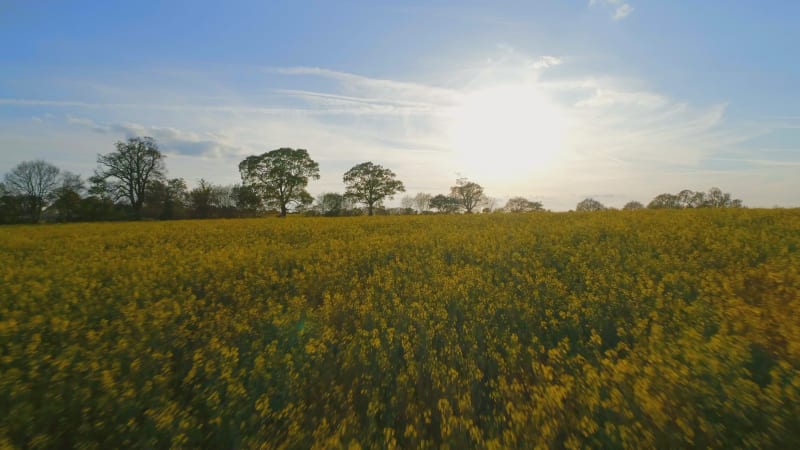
[131, 183]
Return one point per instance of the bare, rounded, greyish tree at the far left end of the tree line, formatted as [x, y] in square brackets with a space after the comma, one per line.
[33, 182]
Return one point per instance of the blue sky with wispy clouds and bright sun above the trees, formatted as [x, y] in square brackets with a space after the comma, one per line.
[555, 101]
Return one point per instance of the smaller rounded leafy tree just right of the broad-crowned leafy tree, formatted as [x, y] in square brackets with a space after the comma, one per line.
[370, 184]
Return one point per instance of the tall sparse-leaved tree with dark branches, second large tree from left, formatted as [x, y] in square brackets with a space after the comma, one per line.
[131, 168]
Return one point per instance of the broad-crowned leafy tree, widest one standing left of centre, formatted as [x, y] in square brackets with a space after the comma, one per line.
[280, 177]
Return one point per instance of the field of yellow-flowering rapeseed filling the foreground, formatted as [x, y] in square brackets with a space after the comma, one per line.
[610, 329]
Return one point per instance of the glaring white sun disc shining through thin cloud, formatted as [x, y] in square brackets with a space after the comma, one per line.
[506, 130]
